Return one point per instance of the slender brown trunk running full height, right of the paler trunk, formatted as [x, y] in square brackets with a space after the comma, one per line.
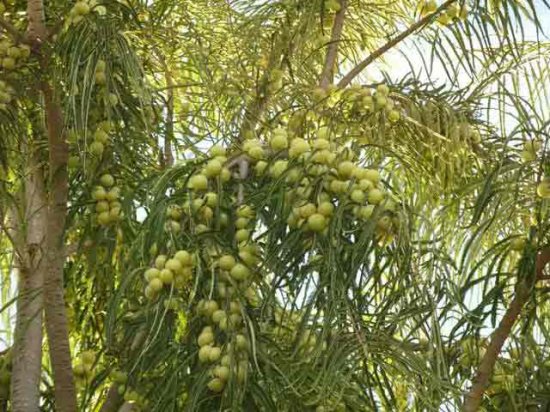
[54, 251]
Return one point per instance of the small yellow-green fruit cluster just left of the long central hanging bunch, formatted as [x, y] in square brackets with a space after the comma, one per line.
[176, 271]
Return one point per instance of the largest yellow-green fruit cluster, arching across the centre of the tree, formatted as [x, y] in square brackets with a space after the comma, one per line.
[318, 160]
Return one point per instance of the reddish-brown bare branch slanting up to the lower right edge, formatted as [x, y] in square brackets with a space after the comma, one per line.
[473, 398]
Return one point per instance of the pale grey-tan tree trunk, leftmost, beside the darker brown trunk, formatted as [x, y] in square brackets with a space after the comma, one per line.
[27, 350]
